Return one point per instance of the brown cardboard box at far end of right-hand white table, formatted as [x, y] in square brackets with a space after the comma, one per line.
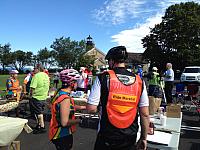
[173, 111]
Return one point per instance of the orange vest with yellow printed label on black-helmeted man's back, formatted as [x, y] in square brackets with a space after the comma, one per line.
[123, 101]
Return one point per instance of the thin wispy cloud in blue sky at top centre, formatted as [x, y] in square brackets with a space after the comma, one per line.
[117, 11]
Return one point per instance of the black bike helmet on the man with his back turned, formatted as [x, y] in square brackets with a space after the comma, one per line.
[118, 53]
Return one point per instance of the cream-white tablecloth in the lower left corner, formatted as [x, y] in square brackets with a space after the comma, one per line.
[10, 128]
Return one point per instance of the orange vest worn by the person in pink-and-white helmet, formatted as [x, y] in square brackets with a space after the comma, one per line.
[54, 127]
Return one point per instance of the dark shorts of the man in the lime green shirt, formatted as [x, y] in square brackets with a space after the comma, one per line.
[37, 106]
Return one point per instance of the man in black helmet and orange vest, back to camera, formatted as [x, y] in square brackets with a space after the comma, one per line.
[121, 97]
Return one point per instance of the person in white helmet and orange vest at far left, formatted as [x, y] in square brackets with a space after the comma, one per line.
[13, 85]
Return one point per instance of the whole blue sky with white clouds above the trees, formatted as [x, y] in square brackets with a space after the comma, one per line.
[31, 25]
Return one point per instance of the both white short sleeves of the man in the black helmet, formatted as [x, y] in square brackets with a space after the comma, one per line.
[94, 97]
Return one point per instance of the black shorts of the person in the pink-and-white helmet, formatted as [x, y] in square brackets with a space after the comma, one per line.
[63, 143]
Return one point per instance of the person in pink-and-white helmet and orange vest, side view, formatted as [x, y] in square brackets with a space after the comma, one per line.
[63, 121]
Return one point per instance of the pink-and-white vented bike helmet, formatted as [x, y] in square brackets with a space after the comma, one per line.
[69, 75]
